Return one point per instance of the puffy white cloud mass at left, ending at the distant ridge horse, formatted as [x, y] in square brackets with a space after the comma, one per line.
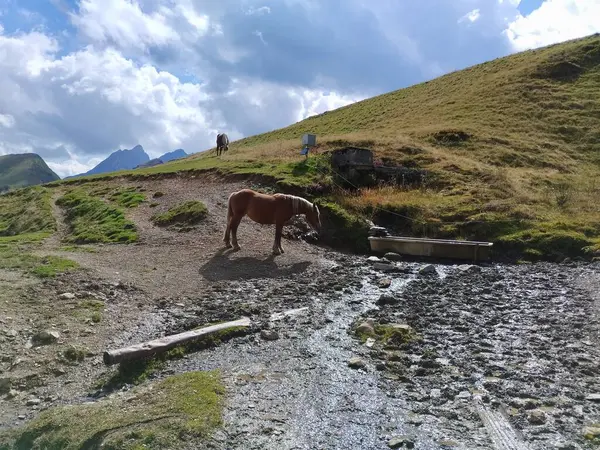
[92, 102]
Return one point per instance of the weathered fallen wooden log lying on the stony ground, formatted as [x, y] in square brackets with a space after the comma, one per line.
[163, 344]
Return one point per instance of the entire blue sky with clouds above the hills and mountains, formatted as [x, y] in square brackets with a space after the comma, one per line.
[82, 78]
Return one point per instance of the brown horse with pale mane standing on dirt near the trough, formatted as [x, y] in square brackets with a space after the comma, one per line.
[267, 209]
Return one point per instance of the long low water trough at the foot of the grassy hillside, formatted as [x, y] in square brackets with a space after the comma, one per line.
[436, 248]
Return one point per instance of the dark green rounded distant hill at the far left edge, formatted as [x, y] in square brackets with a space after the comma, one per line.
[23, 170]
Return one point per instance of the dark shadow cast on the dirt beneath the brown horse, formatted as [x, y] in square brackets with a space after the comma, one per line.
[225, 266]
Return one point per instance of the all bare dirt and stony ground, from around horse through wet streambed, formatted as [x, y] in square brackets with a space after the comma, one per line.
[515, 344]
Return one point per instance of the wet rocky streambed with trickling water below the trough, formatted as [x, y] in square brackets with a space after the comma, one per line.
[493, 356]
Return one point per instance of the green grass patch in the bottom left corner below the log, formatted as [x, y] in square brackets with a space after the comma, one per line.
[179, 411]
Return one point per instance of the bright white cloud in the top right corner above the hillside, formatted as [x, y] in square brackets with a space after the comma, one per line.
[555, 21]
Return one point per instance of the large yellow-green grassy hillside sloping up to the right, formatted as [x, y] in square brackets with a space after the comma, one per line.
[511, 149]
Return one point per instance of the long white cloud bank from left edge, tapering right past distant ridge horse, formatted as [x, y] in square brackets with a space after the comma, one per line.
[75, 109]
